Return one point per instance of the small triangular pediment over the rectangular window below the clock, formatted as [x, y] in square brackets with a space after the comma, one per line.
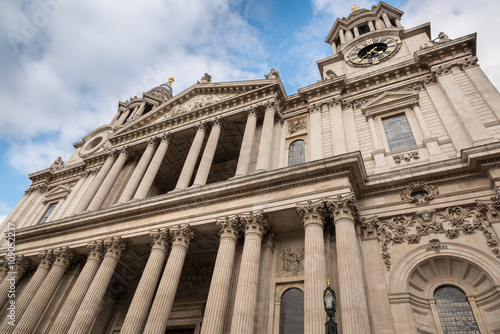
[389, 101]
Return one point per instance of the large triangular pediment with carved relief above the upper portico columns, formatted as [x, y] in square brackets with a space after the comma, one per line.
[196, 100]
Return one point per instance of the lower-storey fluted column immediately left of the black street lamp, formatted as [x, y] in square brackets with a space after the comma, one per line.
[314, 265]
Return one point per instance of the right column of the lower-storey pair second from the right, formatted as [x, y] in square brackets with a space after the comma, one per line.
[246, 291]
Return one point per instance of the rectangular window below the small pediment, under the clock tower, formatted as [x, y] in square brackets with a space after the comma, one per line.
[398, 132]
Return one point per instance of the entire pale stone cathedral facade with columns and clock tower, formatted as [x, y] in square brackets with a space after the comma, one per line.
[228, 207]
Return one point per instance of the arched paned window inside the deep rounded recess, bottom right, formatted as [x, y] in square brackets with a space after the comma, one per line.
[454, 311]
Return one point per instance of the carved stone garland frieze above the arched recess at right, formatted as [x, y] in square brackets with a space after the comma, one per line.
[453, 222]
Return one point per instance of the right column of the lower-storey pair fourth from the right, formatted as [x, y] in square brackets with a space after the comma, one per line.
[87, 312]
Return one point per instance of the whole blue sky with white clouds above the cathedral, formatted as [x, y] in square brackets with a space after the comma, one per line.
[65, 64]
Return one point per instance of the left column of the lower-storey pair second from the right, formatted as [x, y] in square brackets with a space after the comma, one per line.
[216, 308]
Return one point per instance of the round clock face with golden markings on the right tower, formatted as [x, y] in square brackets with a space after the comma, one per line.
[373, 51]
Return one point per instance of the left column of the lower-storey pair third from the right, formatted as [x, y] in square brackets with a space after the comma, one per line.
[143, 296]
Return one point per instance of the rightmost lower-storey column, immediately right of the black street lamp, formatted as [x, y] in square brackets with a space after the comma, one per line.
[352, 292]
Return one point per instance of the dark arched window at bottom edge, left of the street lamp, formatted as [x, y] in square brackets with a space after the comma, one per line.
[292, 312]
